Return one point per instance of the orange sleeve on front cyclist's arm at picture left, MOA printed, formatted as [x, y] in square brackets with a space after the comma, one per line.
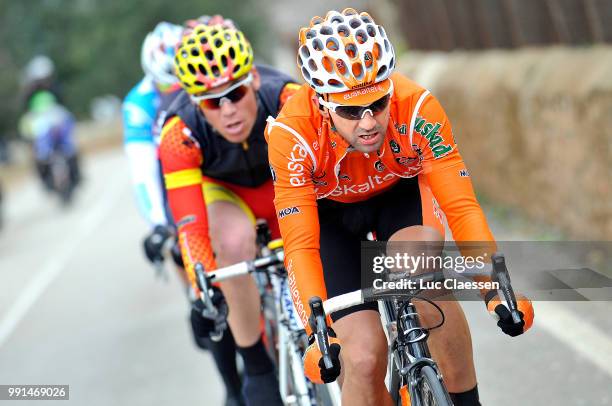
[295, 202]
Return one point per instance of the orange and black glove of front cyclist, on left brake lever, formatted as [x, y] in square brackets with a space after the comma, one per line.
[314, 366]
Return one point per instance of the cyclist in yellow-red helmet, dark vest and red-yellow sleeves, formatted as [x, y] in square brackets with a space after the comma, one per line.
[215, 164]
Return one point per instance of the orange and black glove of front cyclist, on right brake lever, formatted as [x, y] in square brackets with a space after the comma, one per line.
[502, 314]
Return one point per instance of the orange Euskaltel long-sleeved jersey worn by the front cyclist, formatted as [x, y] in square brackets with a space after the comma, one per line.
[310, 161]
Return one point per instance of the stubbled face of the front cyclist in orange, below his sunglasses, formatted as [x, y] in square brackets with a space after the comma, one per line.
[365, 135]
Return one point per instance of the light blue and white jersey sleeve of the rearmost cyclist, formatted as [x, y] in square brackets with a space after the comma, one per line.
[140, 109]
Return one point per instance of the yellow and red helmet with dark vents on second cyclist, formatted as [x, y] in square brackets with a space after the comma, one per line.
[210, 56]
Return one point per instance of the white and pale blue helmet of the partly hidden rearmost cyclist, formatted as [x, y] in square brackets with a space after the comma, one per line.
[157, 56]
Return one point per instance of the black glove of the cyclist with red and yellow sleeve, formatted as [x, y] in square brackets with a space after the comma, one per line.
[205, 324]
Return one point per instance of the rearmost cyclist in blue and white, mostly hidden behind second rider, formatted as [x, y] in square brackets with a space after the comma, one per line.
[143, 112]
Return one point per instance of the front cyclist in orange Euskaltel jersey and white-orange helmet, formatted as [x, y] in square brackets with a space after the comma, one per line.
[361, 149]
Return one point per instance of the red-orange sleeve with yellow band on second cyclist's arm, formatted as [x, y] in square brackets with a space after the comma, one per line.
[181, 158]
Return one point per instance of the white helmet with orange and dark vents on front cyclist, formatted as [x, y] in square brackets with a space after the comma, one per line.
[344, 51]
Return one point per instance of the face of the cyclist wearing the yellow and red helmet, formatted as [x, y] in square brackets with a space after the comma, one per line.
[234, 121]
